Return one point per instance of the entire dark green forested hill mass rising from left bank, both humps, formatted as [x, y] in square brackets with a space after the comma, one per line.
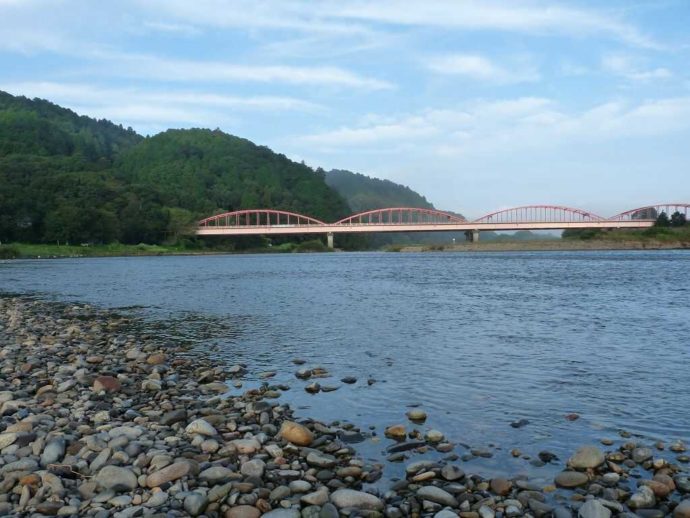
[70, 178]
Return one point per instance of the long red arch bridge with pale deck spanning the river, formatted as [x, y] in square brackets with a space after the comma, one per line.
[407, 219]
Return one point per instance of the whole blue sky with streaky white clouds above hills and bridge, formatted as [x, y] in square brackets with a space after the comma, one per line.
[479, 105]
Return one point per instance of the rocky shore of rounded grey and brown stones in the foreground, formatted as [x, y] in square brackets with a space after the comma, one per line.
[99, 419]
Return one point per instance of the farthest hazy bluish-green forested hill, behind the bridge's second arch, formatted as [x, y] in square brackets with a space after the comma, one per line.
[364, 193]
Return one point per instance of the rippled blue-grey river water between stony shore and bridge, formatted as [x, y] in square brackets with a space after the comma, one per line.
[478, 340]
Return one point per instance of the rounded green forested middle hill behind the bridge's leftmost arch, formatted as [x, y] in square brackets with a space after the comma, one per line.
[203, 171]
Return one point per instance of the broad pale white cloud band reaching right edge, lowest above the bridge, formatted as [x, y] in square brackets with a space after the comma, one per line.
[503, 126]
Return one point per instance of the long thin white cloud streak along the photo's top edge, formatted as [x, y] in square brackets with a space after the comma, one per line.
[532, 17]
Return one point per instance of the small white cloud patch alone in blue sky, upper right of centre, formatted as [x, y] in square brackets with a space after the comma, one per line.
[481, 68]
